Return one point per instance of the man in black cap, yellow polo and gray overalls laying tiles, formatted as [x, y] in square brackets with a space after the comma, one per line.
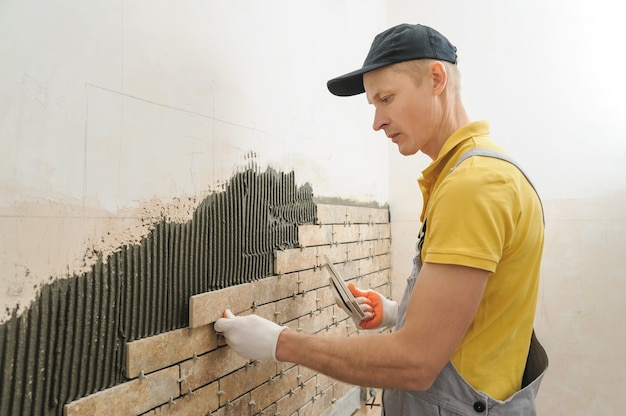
[462, 340]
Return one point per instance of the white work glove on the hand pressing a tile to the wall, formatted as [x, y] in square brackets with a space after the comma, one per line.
[250, 336]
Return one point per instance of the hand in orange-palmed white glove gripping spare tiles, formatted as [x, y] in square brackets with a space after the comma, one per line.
[379, 311]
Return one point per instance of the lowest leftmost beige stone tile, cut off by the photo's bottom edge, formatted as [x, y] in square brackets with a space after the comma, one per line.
[130, 398]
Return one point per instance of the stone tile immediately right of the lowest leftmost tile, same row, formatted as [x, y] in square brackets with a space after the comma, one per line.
[209, 367]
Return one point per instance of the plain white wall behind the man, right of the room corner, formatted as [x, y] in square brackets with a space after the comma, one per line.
[547, 75]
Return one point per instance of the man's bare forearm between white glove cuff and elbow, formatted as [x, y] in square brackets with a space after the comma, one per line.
[360, 360]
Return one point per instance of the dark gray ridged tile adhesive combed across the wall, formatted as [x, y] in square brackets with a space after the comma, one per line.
[70, 341]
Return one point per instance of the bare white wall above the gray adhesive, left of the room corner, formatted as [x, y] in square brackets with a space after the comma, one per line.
[112, 113]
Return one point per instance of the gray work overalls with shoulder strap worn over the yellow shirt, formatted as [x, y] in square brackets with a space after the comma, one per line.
[450, 394]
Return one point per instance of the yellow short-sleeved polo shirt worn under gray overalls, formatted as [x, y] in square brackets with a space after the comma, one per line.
[486, 215]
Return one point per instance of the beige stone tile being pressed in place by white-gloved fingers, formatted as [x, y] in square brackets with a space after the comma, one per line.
[206, 308]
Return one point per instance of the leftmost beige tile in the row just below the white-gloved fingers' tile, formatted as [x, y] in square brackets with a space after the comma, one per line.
[163, 350]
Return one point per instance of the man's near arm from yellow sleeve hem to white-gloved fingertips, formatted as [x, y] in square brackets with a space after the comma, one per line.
[440, 310]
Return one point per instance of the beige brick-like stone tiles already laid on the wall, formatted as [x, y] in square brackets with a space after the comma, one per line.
[190, 371]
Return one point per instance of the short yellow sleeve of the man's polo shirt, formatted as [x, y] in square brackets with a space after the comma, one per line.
[471, 213]
